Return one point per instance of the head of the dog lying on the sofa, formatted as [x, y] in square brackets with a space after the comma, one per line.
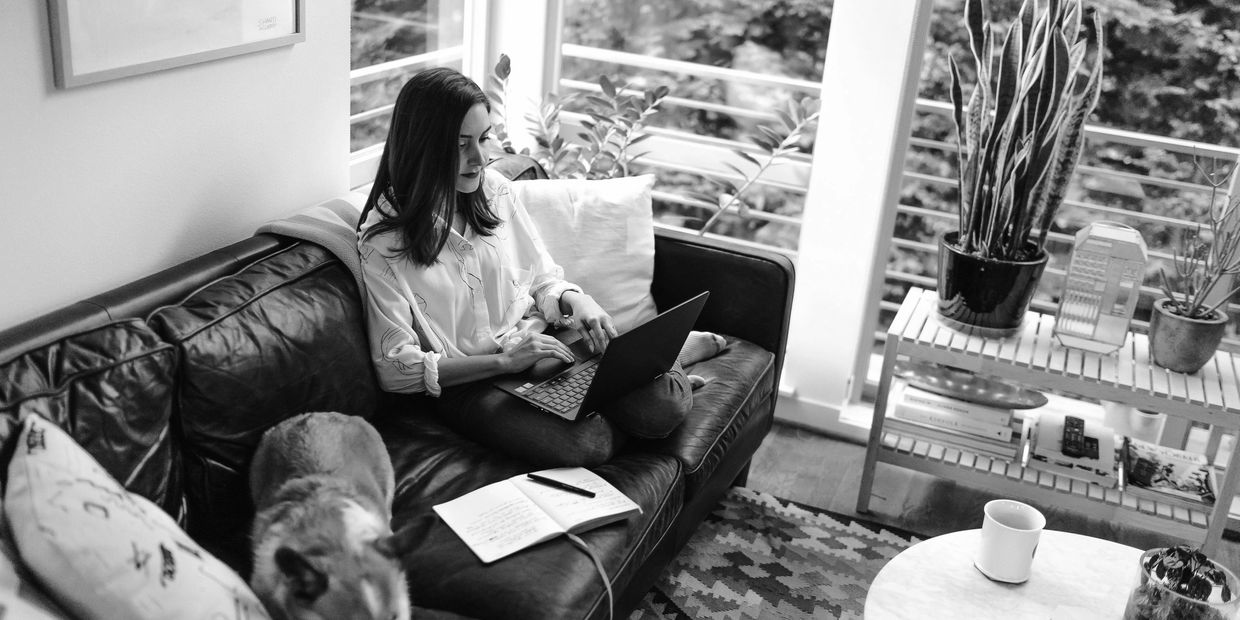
[364, 586]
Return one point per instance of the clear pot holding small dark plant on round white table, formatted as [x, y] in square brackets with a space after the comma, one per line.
[1154, 601]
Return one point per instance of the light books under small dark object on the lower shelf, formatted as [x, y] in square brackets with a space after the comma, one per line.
[1045, 437]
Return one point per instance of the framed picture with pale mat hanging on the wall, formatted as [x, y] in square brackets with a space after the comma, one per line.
[95, 42]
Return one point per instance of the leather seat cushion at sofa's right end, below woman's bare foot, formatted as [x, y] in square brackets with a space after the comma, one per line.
[741, 385]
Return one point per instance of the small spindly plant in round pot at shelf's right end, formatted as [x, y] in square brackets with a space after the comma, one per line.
[1189, 323]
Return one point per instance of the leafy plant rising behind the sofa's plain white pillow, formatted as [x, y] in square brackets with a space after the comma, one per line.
[616, 126]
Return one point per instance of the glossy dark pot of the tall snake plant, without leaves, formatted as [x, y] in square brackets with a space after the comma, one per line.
[986, 293]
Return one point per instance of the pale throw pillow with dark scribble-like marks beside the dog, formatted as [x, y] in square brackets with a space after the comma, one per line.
[104, 552]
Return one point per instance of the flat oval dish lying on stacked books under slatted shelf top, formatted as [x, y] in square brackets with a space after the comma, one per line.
[968, 386]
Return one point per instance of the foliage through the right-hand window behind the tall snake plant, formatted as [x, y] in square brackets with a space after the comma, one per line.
[1172, 70]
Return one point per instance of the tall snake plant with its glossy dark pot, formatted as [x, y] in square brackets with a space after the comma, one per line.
[1020, 139]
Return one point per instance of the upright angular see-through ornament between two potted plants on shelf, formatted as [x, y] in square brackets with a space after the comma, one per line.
[1102, 287]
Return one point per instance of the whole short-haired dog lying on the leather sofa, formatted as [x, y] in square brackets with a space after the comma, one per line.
[323, 542]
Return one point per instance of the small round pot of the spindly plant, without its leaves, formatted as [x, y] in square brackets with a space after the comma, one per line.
[1181, 344]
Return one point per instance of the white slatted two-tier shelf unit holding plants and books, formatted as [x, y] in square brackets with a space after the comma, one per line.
[1035, 359]
